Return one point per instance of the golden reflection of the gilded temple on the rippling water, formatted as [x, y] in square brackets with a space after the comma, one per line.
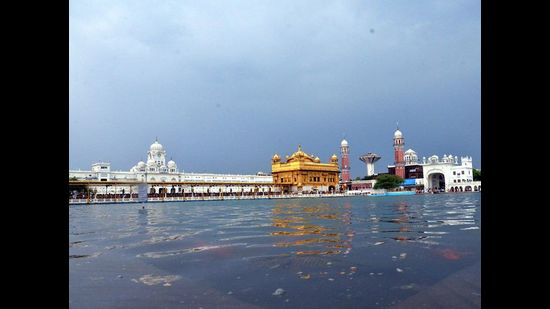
[317, 230]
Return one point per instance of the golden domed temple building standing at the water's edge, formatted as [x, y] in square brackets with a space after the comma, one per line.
[303, 172]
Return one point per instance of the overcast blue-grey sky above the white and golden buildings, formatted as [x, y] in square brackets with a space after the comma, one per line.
[224, 85]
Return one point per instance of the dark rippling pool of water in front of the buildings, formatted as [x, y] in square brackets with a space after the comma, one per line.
[364, 252]
